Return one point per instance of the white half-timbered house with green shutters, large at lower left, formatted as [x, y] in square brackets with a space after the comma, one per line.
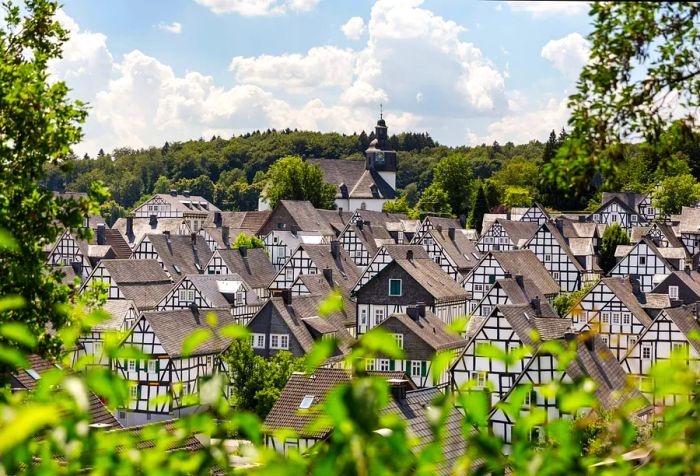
[165, 372]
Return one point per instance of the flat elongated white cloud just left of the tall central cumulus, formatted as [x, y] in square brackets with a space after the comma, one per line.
[321, 67]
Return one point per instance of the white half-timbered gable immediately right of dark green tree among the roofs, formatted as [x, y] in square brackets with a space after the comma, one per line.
[646, 263]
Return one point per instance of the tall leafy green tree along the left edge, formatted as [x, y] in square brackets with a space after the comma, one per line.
[38, 126]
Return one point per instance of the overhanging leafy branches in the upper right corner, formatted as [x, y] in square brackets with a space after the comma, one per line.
[642, 74]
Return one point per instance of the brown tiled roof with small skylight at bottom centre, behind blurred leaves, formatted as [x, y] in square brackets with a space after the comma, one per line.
[285, 412]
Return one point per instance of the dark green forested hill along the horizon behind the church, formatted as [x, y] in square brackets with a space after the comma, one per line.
[228, 171]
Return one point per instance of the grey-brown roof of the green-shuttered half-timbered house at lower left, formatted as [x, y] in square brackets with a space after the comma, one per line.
[173, 327]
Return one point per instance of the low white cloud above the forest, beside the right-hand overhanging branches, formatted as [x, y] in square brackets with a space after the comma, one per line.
[525, 125]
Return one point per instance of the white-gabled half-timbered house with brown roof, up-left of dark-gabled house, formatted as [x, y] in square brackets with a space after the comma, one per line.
[314, 259]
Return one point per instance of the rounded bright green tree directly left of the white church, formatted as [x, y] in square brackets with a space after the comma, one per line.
[291, 178]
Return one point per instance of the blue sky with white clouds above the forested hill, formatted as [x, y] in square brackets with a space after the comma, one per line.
[465, 71]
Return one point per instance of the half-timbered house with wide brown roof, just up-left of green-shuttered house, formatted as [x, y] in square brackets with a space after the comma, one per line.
[142, 281]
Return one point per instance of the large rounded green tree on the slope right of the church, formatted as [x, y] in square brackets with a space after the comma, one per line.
[454, 175]
